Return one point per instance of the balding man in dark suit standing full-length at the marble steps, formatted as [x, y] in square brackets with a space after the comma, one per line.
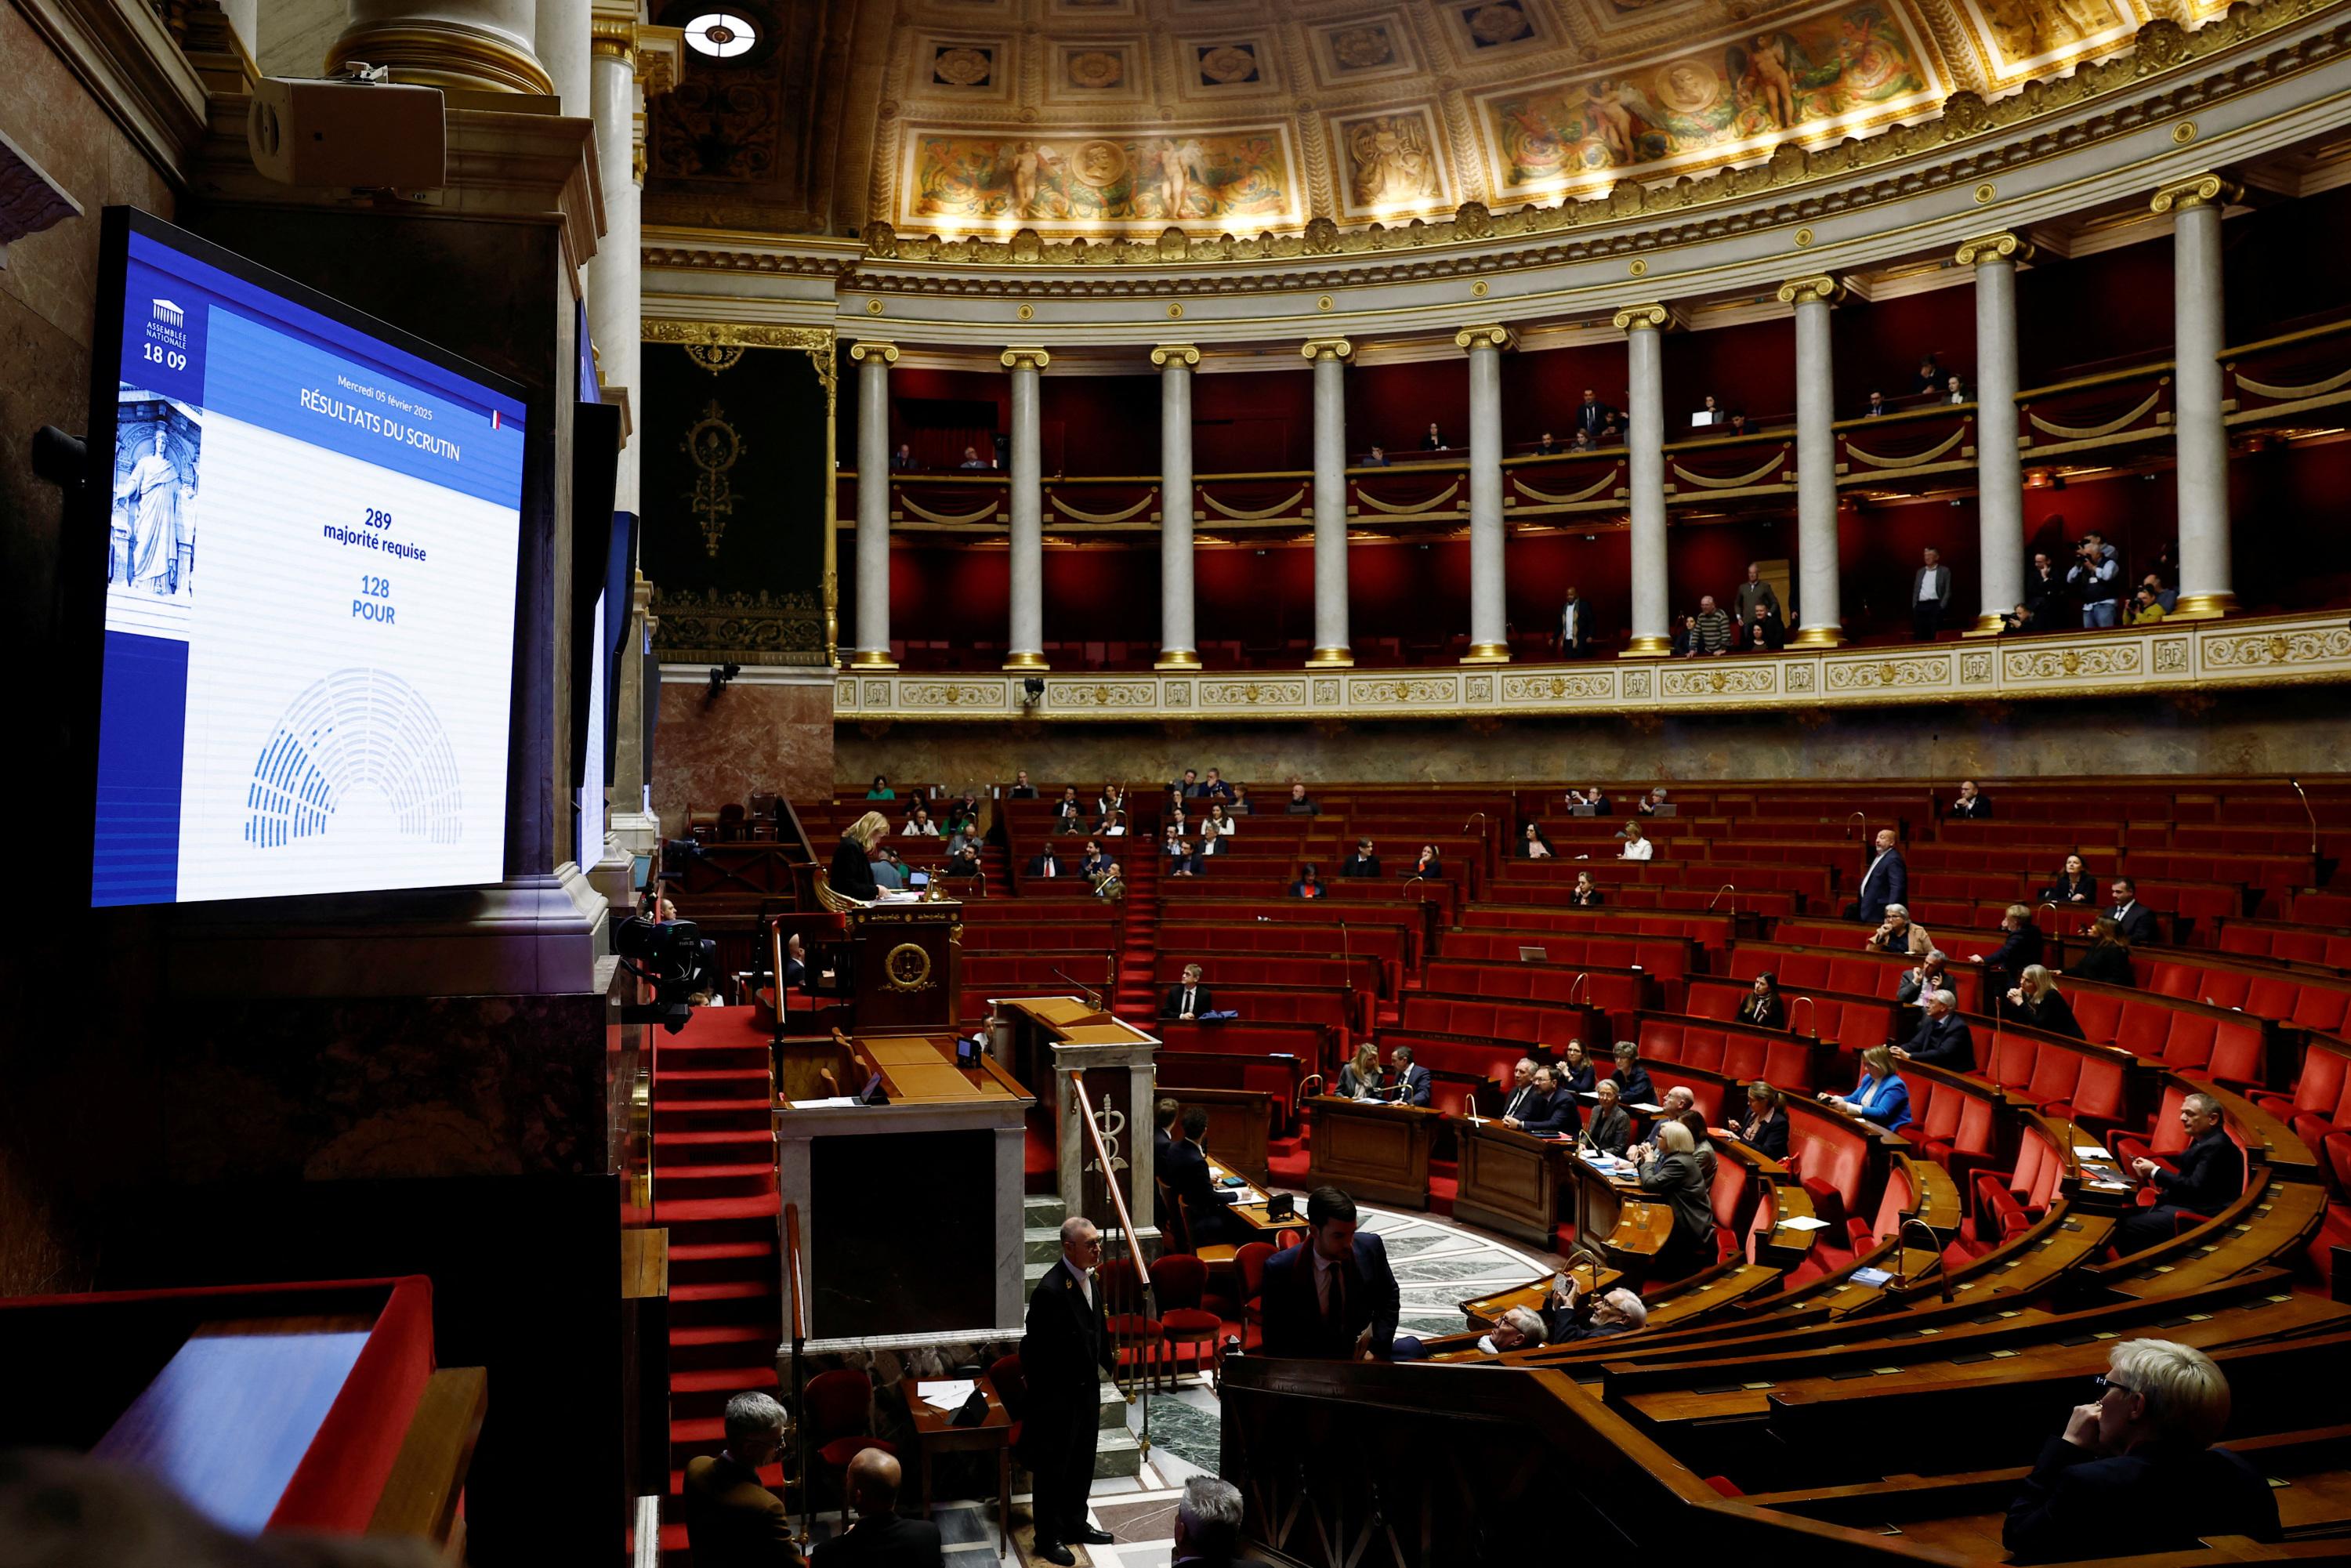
[1061, 1360]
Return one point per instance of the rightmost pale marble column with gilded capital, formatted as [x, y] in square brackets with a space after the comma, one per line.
[2199, 427]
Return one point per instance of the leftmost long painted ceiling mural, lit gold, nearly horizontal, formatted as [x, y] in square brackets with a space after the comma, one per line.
[1221, 177]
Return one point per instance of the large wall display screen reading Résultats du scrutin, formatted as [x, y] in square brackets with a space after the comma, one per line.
[309, 594]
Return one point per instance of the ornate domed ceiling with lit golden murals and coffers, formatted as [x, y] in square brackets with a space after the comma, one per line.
[1235, 116]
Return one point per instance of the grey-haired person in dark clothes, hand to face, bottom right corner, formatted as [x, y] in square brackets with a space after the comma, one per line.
[2136, 1470]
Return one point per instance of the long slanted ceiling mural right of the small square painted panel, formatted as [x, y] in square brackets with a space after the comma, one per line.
[1757, 86]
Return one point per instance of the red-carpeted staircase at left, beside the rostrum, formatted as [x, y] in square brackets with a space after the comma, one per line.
[716, 1193]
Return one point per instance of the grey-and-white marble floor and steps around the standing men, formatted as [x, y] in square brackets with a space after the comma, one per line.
[1438, 1268]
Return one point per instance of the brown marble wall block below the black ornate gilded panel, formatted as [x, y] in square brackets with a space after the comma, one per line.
[751, 737]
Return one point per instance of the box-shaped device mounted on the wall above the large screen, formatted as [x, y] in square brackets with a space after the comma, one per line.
[349, 130]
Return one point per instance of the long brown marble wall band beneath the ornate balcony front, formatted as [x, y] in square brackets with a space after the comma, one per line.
[2256, 732]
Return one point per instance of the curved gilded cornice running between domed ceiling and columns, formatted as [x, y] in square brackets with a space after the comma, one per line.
[1800, 187]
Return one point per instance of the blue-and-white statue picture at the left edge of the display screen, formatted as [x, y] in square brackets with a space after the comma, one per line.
[152, 530]
